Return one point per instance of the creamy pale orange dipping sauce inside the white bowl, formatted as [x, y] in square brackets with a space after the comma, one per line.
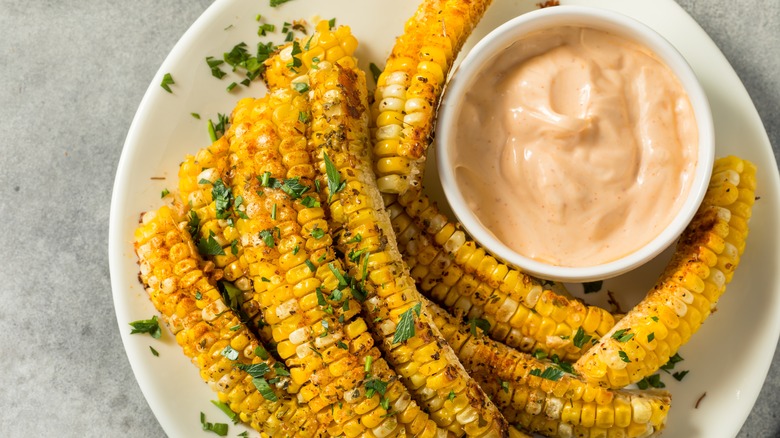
[575, 147]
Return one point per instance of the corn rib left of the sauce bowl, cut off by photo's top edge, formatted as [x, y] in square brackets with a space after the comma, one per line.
[409, 89]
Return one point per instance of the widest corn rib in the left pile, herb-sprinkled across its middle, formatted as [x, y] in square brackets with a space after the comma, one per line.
[287, 250]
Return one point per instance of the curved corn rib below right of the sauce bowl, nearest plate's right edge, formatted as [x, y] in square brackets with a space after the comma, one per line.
[693, 281]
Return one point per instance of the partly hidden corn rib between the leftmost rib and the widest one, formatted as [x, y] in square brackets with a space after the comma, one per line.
[200, 176]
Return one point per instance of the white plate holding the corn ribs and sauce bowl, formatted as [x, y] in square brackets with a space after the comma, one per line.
[728, 358]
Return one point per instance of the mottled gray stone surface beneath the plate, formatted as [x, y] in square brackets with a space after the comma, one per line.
[72, 74]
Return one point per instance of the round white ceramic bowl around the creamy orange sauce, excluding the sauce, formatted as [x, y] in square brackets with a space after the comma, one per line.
[612, 22]
